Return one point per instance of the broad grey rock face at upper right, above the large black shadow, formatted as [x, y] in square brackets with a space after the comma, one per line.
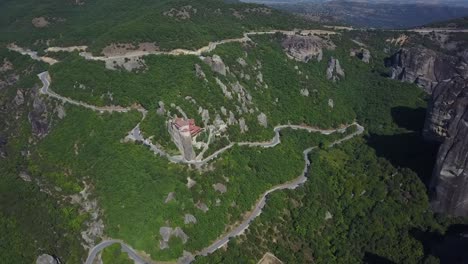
[425, 67]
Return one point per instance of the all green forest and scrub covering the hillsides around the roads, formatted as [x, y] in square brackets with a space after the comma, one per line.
[364, 198]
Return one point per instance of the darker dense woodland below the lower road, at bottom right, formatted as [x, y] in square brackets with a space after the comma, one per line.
[371, 208]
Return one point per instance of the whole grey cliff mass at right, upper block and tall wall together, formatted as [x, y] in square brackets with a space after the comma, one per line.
[446, 78]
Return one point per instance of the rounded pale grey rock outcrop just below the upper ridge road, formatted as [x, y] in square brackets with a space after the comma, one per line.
[305, 48]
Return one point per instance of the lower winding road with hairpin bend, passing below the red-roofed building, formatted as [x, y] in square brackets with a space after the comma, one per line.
[135, 134]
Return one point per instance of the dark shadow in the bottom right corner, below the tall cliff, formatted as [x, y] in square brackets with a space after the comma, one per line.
[450, 248]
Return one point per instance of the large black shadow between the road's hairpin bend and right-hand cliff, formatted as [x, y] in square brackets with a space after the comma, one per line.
[407, 149]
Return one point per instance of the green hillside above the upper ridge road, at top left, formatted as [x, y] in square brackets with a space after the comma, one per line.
[99, 23]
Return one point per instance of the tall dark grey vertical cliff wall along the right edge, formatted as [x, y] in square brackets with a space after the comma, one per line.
[449, 114]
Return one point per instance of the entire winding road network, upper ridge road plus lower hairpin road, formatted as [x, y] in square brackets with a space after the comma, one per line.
[135, 134]
